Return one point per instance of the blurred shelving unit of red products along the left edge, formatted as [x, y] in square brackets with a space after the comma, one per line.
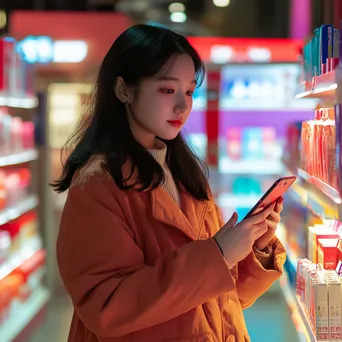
[18, 138]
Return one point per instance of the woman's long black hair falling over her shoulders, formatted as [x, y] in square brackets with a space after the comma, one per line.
[139, 53]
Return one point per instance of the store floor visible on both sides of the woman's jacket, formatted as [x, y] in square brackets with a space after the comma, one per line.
[268, 320]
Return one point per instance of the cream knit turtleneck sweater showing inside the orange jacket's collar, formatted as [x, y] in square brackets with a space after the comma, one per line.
[159, 154]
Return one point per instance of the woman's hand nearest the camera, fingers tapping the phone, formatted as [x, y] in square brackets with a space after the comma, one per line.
[236, 240]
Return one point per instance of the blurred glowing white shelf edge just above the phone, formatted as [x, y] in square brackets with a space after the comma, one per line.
[264, 167]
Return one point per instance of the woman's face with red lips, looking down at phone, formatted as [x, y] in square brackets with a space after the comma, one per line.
[161, 106]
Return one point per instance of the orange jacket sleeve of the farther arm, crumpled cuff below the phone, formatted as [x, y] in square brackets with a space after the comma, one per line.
[252, 279]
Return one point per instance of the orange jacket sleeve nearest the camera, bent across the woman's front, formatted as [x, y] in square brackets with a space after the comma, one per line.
[113, 291]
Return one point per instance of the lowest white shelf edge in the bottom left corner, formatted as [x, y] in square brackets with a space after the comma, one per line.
[24, 314]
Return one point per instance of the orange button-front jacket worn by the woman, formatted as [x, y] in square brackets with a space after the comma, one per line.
[138, 268]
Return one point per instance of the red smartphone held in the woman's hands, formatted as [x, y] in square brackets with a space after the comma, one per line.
[277, 190]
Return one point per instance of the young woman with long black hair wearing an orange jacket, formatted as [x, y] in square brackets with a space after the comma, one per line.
[142, 249]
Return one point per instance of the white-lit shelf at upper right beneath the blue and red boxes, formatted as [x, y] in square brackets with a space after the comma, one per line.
[321, 86]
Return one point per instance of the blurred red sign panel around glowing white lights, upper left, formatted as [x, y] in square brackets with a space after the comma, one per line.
[97, 29]
